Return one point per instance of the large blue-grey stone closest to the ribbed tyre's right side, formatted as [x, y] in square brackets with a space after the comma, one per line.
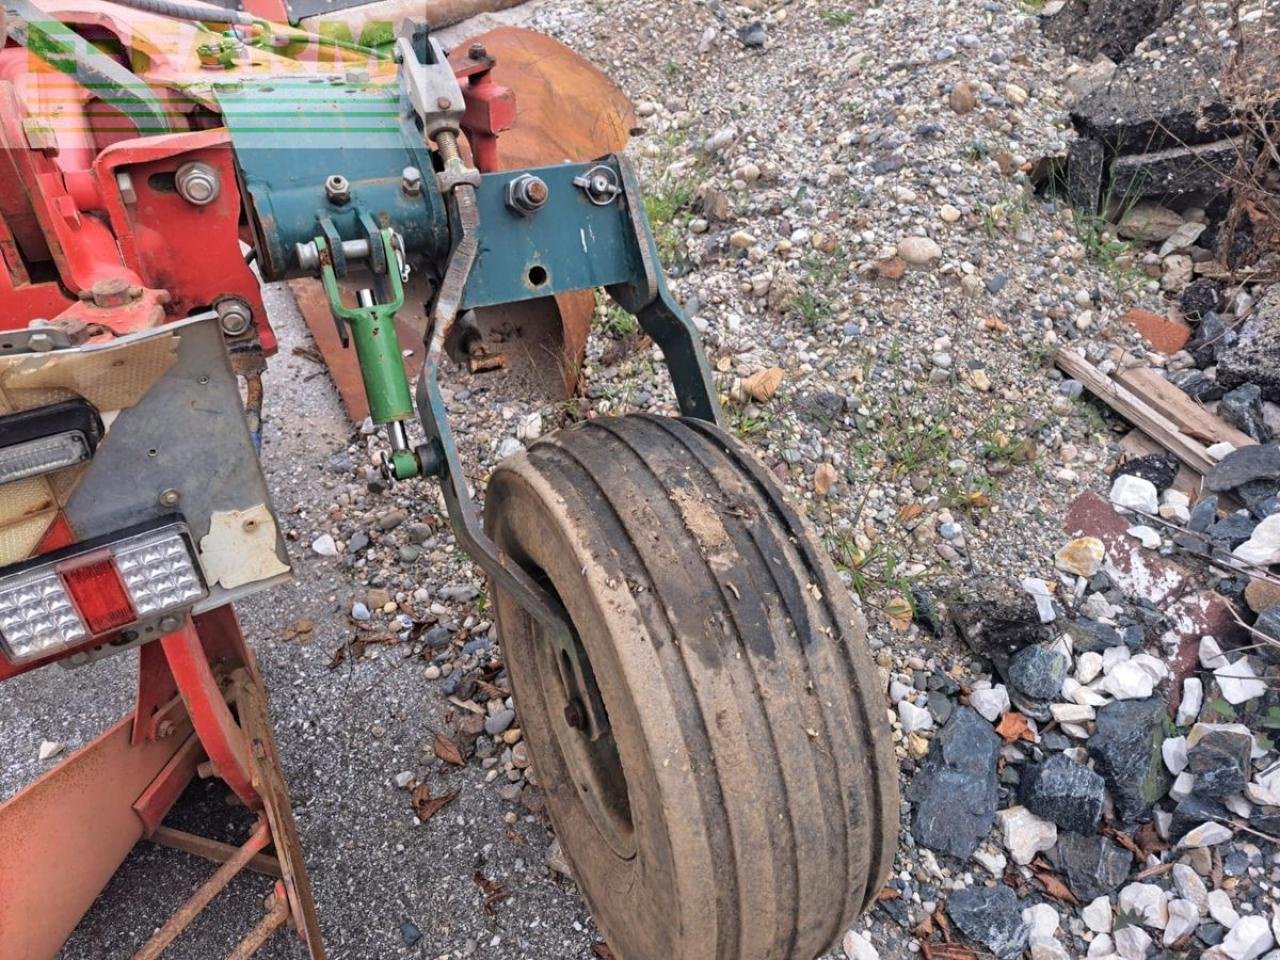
[954, 794]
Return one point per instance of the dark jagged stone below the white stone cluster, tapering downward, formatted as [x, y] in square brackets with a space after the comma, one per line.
[1127, 749]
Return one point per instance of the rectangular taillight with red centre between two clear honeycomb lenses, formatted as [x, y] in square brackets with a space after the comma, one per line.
[65, 598]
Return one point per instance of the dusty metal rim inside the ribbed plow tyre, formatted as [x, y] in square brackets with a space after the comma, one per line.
[596, 767]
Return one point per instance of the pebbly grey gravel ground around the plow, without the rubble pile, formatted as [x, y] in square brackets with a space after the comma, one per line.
[845, 205]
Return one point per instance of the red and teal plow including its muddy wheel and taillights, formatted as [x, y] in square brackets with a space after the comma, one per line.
[691, 673]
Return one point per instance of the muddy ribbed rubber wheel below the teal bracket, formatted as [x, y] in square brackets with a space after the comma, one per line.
[714, 739]
